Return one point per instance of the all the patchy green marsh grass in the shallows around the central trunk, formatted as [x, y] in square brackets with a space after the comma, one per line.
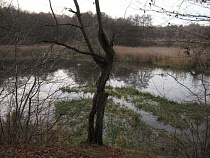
[123, 127]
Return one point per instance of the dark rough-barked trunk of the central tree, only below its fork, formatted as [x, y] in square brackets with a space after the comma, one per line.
[95, 129]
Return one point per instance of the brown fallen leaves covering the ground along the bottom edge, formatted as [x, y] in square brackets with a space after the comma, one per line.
[83, 150]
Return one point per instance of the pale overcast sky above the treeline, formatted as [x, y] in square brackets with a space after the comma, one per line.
[121, 8]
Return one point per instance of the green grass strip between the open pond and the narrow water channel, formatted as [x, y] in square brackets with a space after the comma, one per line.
[169, 112]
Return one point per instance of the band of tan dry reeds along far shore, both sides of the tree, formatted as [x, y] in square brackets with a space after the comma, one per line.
[160, 56]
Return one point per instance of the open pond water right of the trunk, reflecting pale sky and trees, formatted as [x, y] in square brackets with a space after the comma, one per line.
[173, 84]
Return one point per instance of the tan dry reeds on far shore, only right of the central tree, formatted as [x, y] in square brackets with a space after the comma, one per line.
[161, 55]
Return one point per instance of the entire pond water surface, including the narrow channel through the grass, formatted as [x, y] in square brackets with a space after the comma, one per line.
[174, 84]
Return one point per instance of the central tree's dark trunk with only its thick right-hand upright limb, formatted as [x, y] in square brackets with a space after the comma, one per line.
[95, 129]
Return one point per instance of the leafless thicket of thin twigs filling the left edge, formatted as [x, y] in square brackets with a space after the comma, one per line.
[22, 107]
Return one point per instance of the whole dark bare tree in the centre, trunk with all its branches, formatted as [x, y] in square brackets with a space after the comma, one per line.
[104, 61]
